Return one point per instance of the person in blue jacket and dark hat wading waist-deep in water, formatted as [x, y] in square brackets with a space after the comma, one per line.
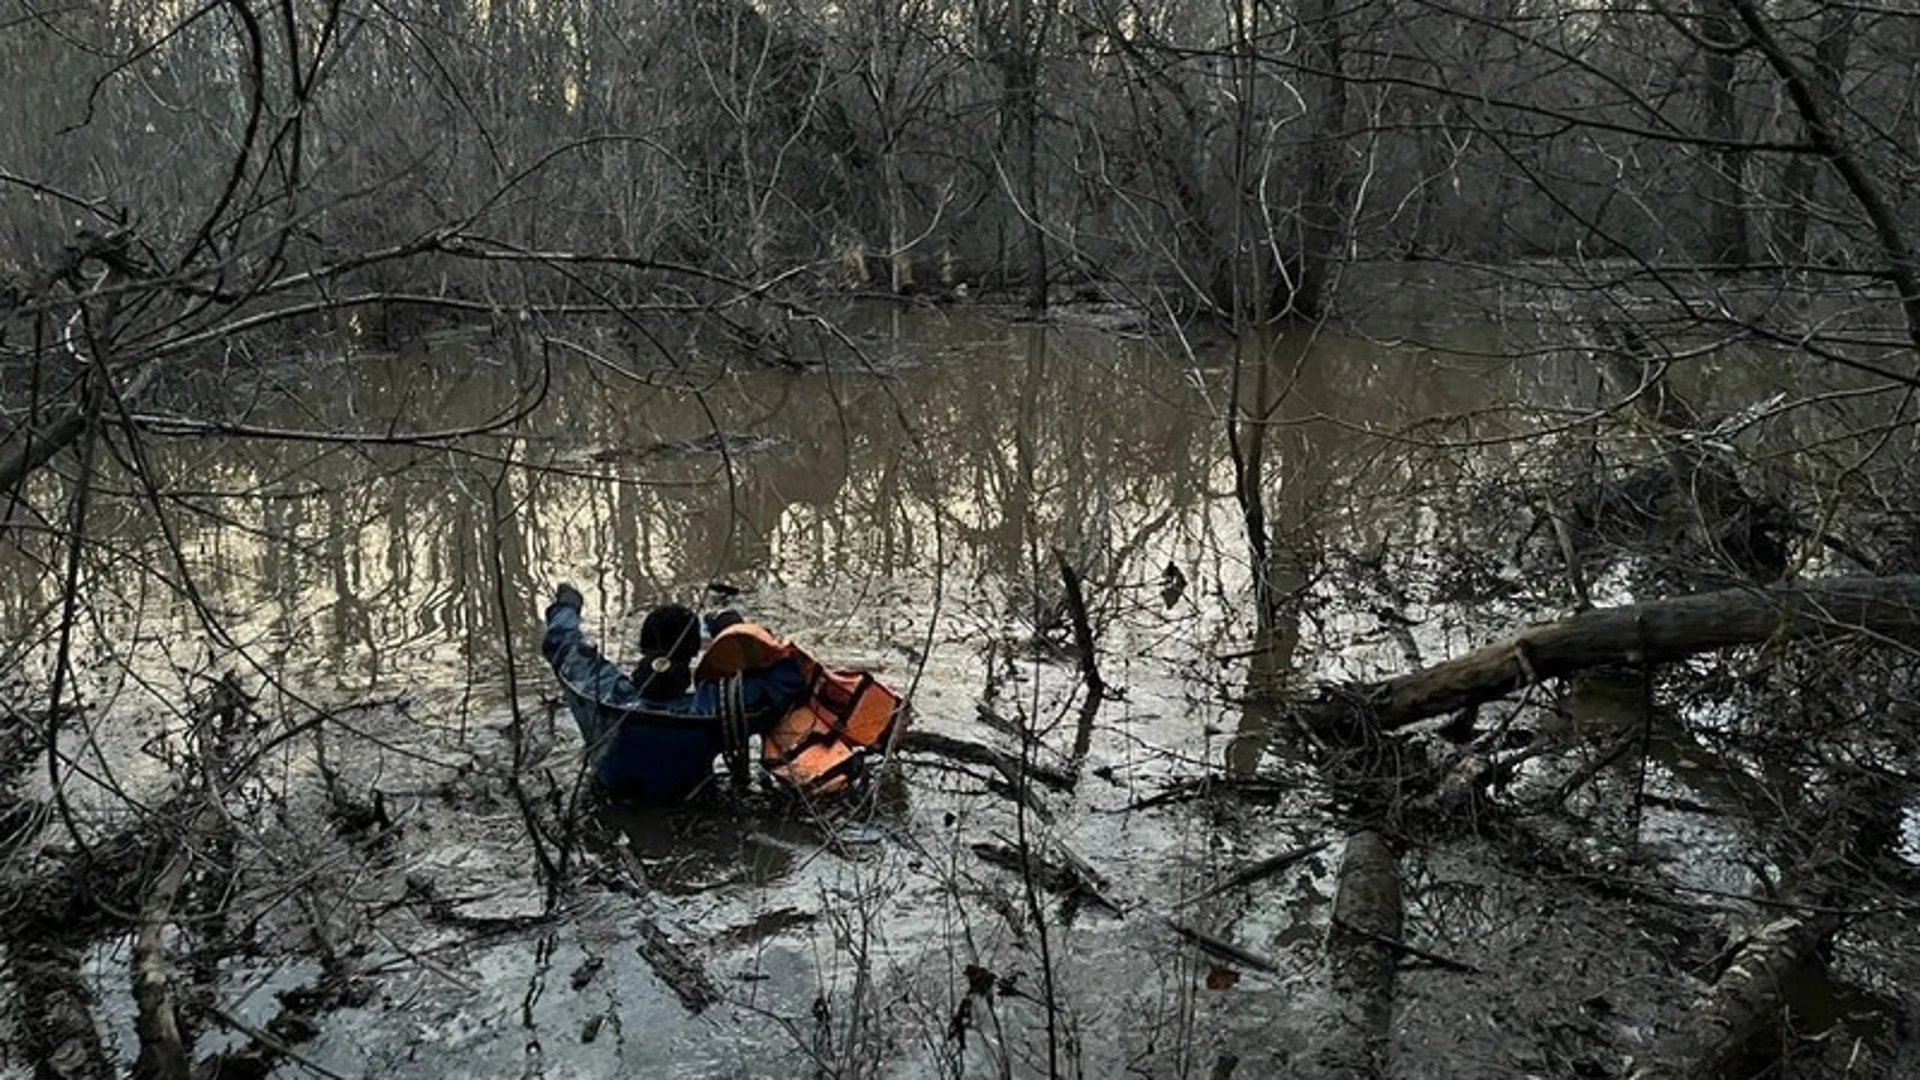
[654, 735]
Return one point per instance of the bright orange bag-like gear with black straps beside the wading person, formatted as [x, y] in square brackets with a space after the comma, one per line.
[821, 743]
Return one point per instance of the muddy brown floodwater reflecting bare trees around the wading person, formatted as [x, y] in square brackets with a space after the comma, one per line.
[894, 510]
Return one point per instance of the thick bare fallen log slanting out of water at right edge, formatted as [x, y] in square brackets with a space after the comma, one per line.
[1639, 633]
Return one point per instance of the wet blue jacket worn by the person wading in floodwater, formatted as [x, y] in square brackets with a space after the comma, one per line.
[654, 750]
